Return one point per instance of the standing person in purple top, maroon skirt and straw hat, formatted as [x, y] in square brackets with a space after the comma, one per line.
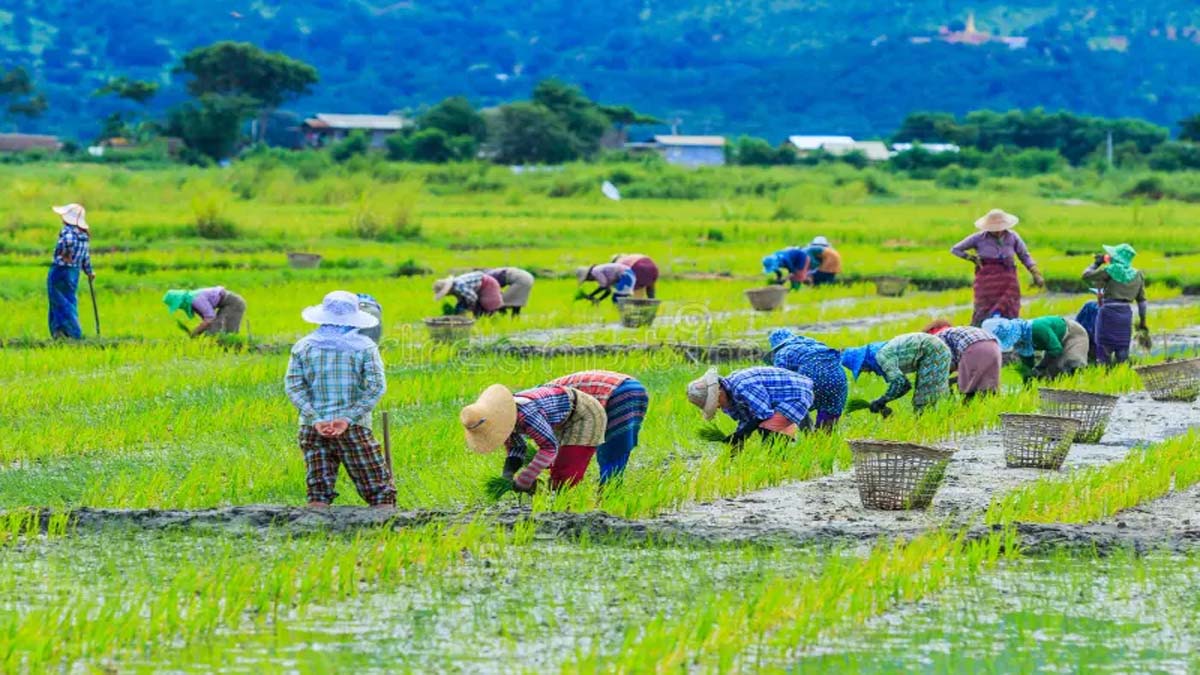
[997, 289]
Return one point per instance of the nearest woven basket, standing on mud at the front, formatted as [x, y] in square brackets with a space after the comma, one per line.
[895, 476]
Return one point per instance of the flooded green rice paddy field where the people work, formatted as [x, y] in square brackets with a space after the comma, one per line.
[152, 487]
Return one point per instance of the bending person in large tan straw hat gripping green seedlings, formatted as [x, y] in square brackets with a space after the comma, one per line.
[566, 425]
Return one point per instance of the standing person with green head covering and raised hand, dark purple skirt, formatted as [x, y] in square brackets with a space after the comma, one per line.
[1120, 284]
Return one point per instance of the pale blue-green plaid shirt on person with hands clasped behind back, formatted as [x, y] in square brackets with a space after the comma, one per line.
[328, 385]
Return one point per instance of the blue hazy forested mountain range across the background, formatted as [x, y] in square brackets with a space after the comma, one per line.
[763, 68]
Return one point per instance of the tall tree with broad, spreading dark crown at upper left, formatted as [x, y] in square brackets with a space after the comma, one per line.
[244, 71]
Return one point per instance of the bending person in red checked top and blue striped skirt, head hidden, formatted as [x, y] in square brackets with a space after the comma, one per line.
[625, 402]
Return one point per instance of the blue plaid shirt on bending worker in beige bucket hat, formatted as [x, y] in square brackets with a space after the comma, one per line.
[759, 393]
